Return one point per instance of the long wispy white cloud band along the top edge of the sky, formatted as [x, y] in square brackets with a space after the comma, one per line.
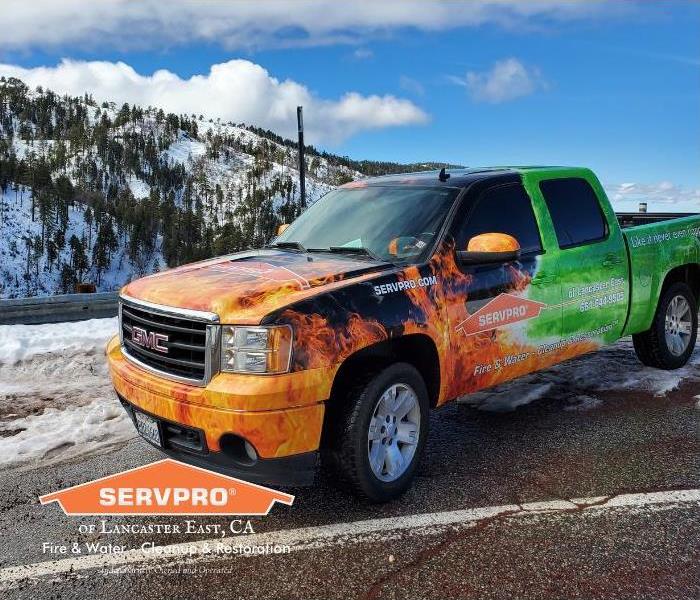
[249, 24]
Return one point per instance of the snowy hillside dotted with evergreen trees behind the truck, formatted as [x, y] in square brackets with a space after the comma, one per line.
[93, 192]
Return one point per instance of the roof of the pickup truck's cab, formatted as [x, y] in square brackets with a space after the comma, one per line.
[459, 178]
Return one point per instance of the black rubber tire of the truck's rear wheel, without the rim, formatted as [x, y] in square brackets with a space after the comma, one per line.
[651, 346]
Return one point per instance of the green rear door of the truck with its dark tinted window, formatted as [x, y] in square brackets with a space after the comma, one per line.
[592, 264]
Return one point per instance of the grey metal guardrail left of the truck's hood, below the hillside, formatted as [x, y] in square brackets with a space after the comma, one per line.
[56, 309]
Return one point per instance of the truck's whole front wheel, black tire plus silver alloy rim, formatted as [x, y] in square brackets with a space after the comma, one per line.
[378, 432]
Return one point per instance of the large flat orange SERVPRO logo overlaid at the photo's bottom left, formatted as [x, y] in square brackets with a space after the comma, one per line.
[167, 487]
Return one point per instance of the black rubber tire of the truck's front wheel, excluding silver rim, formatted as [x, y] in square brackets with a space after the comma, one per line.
[345, 453]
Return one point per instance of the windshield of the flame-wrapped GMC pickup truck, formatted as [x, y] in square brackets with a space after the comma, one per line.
[391, 223]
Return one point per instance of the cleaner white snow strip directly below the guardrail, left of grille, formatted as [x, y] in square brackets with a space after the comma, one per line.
[22, 342]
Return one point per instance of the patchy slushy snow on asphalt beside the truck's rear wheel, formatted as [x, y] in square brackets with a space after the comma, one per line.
[580, 382]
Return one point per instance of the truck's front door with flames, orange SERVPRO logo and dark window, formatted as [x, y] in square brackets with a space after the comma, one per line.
[501, 313]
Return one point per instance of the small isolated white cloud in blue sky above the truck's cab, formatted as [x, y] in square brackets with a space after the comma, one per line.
[507, 80]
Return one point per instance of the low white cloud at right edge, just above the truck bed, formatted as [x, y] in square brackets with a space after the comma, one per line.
[660, 197]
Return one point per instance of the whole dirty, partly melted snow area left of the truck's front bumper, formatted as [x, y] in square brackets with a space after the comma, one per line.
[56, 400]
